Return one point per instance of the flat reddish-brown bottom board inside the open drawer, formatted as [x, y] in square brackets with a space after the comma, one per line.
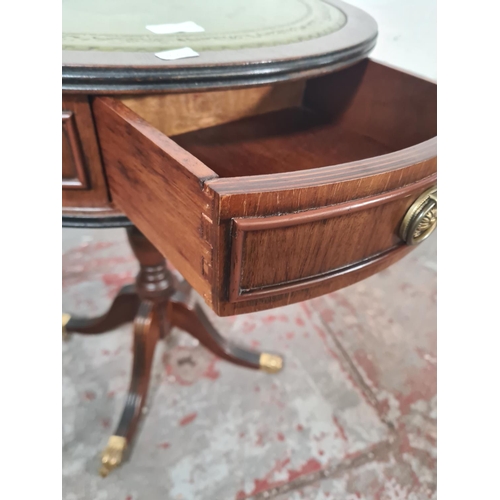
[296, 138]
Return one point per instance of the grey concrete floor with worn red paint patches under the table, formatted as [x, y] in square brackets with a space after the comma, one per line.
[352, 415]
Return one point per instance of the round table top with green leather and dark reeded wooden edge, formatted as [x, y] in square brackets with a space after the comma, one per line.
[107, 47]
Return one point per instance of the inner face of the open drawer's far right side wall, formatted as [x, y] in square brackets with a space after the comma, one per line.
[393, 107]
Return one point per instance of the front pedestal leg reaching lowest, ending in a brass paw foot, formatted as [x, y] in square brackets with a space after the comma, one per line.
[147, 331]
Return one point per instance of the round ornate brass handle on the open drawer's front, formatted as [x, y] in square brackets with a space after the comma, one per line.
[421, 219]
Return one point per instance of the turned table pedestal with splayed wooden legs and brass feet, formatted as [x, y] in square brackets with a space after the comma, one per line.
[155, 304]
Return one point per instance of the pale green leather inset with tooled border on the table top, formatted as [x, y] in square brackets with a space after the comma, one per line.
[120, 25]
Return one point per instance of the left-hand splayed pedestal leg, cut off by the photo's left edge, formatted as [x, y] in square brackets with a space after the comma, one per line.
[122, 310]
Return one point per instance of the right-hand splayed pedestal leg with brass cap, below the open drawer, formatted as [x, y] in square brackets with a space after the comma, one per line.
[195, 322]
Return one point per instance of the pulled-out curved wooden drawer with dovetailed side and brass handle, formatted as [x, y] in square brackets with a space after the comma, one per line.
[286, 205]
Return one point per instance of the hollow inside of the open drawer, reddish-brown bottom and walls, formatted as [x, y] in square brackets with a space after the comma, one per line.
[362, 112]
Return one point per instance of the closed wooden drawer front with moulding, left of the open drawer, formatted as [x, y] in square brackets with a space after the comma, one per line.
[83, 180]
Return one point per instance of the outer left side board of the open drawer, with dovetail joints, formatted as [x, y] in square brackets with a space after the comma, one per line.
[158, 186]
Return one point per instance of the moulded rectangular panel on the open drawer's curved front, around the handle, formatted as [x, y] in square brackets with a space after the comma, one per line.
[286, 253]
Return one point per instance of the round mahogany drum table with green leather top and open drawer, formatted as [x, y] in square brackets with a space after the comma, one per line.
[277, 165]
